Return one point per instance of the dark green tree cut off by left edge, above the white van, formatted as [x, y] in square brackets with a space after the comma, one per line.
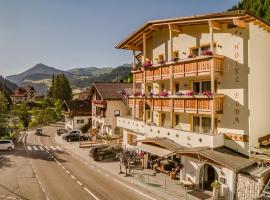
[3, 113]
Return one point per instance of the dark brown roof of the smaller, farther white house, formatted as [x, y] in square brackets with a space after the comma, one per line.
[78, 106]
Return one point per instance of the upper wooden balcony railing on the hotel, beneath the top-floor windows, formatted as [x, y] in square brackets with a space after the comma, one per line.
[199, 66]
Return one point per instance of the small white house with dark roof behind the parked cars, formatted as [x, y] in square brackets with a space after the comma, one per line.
[77, 113]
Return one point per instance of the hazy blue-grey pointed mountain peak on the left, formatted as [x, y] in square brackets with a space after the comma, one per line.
[40, 70]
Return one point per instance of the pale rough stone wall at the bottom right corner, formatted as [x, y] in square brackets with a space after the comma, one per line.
[248, 187]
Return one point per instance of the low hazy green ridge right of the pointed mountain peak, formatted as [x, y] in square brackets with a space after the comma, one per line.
[89, 71]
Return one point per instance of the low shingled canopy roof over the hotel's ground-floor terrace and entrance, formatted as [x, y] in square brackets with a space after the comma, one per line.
[221, 156]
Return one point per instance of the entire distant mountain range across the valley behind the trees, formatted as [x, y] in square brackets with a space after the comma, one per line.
[40, 75]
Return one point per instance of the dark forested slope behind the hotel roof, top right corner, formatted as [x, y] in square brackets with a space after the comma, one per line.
[261, 8]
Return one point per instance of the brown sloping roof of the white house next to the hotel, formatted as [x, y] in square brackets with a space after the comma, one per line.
[111, 91]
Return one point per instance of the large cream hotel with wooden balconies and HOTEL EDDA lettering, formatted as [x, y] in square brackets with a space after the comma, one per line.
[204, 95]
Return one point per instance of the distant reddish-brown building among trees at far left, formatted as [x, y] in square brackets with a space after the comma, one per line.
[24, 95]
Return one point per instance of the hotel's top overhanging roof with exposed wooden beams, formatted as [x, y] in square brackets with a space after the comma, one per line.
[223, 17]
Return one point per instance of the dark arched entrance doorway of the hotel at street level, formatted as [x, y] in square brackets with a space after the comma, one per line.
[207, 176]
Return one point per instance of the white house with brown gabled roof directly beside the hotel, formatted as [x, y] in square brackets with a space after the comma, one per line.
[108, 102]
